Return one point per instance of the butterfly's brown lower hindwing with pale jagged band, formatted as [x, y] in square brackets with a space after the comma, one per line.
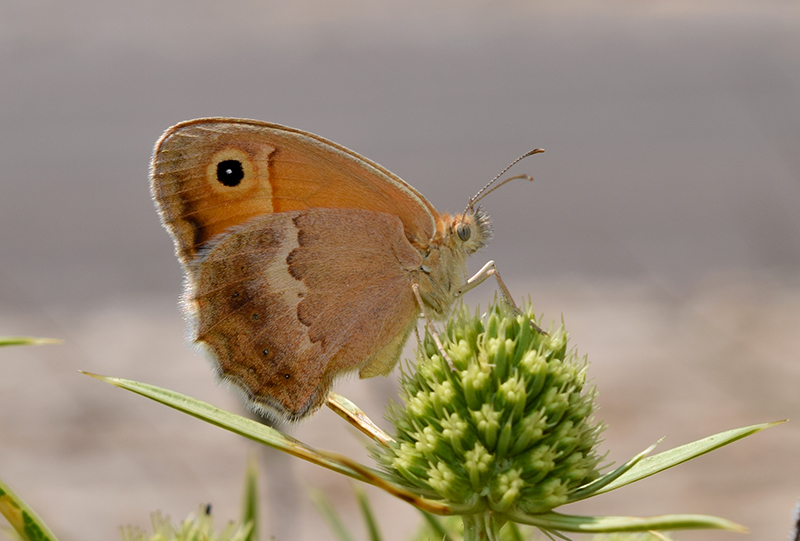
[292, 300]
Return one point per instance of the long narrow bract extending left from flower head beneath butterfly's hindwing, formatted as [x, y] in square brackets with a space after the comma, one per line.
[234, 423]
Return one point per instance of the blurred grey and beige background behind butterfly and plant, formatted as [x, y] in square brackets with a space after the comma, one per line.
[663, 226]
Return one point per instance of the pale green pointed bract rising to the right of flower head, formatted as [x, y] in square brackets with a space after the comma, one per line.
[662, 461]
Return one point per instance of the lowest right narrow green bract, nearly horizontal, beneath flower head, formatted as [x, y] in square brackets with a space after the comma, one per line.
[610, 524]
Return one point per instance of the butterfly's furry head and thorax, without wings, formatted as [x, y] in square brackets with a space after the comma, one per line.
[444, 266]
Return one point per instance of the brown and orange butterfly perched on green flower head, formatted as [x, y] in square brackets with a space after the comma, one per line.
[304, 260]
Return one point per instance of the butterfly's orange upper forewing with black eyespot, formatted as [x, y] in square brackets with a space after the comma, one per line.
[209, 175]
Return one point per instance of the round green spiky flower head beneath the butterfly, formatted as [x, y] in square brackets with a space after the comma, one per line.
[509, 429]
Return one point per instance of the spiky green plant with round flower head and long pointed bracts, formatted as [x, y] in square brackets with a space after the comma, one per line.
[503, 433]
